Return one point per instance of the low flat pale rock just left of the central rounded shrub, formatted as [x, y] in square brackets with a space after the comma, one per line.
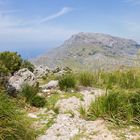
[51, 85]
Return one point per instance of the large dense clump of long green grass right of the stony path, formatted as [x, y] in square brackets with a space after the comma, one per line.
[120, 107]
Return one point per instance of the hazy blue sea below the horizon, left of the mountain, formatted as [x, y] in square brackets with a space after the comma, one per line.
[28, 50]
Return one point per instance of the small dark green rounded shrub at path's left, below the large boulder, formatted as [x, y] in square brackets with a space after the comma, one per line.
[38, 101]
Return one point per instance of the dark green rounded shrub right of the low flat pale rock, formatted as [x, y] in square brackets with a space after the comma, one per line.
[67, 82]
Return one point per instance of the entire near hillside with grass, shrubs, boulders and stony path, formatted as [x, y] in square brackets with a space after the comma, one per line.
[61, 104]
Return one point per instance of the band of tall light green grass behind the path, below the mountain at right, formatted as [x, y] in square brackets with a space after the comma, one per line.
[127, 79]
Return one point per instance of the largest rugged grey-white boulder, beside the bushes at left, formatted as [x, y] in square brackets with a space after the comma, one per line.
[23, 76]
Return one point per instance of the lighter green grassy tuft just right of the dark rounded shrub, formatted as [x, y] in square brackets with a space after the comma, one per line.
[86, 79]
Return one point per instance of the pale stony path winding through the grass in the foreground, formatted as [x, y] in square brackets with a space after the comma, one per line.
[68, 125]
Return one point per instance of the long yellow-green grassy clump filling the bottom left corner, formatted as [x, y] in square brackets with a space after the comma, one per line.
[14, 125]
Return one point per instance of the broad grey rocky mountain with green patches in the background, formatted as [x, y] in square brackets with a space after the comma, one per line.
[92, 51]
